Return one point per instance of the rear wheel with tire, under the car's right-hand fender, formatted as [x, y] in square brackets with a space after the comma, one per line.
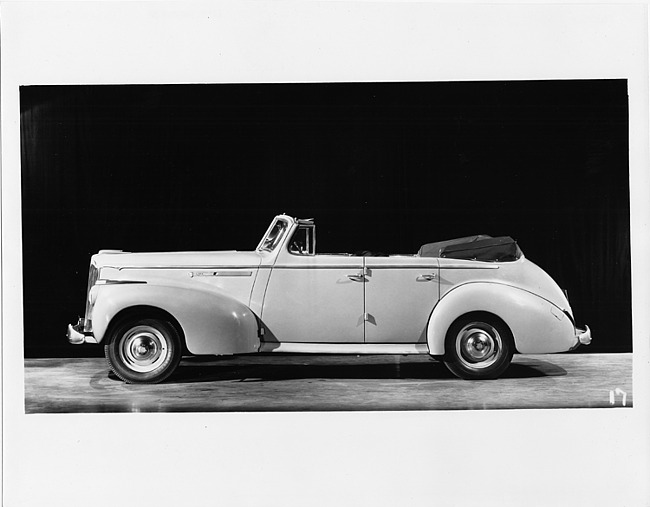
[478, 347]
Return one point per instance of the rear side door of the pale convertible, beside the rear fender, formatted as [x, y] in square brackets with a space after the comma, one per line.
[400, 293]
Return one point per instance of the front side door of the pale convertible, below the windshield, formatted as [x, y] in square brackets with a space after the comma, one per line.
[315, 299]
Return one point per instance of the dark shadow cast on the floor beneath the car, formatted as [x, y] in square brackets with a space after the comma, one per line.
[198, 370]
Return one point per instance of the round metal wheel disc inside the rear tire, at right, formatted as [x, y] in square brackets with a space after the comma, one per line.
[478, 345]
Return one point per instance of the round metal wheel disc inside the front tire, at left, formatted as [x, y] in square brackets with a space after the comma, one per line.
[143, 349]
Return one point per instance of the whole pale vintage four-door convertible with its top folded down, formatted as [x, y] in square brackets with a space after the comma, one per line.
[471, 302]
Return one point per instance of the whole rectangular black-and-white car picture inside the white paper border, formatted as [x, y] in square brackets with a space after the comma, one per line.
[393, 276]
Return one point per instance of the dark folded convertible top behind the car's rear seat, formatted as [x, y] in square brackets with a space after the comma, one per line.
[479, 248]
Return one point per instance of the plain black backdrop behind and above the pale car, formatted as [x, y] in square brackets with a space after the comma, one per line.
[381, 166]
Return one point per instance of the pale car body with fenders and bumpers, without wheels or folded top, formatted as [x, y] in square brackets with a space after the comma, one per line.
[285, 299]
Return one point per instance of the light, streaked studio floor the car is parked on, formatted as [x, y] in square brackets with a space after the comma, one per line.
[329, 382]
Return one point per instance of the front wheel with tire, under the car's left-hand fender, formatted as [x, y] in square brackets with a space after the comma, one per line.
[143, 351]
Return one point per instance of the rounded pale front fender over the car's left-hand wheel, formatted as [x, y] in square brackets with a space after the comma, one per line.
[212, 322]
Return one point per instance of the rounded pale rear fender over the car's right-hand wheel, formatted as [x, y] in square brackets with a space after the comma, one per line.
[537, 326]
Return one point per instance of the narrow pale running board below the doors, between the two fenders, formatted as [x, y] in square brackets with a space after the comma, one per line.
[345, 348]
